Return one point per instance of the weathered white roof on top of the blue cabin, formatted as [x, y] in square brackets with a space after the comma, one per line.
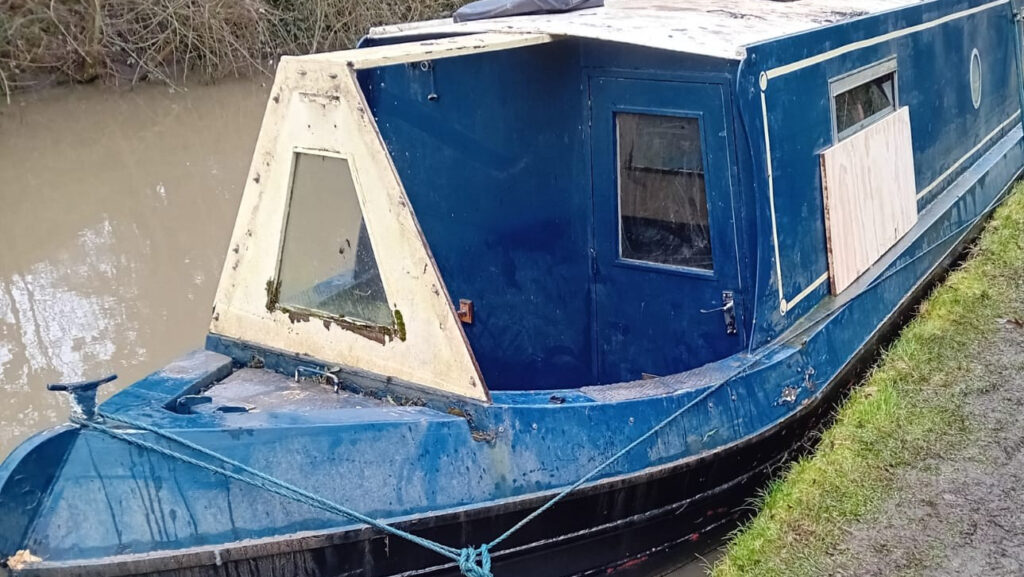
[712, 28]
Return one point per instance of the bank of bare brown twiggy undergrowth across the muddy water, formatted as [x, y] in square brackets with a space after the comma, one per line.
[124, 42]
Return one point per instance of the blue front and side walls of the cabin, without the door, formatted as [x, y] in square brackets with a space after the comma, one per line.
[498, 168]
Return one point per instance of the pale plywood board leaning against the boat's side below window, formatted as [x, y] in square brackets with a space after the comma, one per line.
[870, 196]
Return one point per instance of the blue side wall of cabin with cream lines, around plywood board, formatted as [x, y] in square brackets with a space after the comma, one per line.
[949, 135]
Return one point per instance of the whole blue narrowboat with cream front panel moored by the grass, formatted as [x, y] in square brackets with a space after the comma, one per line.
[539, 295]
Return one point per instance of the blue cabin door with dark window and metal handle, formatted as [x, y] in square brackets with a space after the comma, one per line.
[665, 249]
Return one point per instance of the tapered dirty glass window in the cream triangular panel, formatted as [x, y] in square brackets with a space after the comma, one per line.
[328, 264]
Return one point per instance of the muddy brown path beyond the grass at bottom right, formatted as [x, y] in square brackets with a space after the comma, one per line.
[960, 515]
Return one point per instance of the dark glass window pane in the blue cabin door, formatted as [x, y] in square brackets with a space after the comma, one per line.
[663, 202]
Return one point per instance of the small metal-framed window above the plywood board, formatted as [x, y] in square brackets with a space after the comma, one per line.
[863, 98]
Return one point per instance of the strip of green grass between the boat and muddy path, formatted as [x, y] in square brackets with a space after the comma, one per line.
[910, 409]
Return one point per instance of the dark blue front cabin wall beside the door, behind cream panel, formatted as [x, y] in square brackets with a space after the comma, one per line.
[498, 171]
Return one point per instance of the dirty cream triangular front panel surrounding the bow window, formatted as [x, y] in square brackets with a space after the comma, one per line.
[317, 105]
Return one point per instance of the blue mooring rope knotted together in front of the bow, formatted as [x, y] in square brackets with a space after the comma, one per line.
[473, 562]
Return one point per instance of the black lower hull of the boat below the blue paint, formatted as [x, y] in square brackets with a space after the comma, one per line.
[612, 528]
